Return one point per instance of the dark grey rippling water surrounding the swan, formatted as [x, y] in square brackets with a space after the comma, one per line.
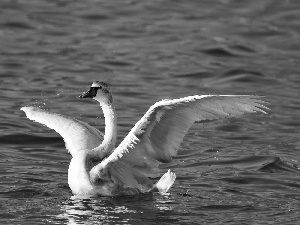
[238, 171]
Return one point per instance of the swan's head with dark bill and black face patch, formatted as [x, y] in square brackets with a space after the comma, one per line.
[99, 91]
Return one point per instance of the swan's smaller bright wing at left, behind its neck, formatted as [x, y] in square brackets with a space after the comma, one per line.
[77, 135]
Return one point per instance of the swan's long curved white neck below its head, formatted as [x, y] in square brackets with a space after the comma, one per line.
[110, 134]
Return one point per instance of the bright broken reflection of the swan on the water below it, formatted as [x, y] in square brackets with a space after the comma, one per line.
[131, 209]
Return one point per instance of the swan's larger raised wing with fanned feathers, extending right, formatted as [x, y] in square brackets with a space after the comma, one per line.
[157, 136]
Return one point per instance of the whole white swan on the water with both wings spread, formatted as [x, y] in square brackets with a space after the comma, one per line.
[98, 168]
